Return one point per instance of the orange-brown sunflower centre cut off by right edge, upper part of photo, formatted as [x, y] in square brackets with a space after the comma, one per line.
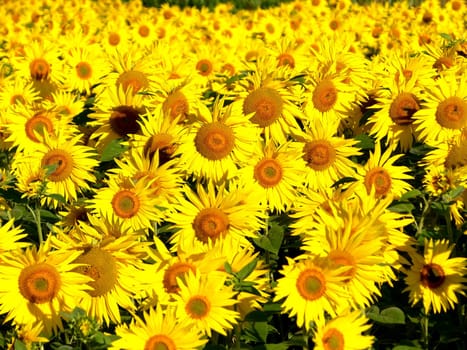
[452, 113]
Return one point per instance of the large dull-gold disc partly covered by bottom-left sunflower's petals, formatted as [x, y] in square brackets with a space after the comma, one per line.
[100, 265]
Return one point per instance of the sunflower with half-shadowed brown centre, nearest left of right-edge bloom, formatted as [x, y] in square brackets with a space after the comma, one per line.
[396, 103]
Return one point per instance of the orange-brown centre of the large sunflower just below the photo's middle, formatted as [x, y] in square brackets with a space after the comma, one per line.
[210, 223]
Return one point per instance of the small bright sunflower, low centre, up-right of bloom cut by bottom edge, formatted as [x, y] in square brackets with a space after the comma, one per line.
[206, 302]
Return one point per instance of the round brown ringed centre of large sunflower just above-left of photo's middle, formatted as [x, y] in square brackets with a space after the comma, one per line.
[215, 141]
